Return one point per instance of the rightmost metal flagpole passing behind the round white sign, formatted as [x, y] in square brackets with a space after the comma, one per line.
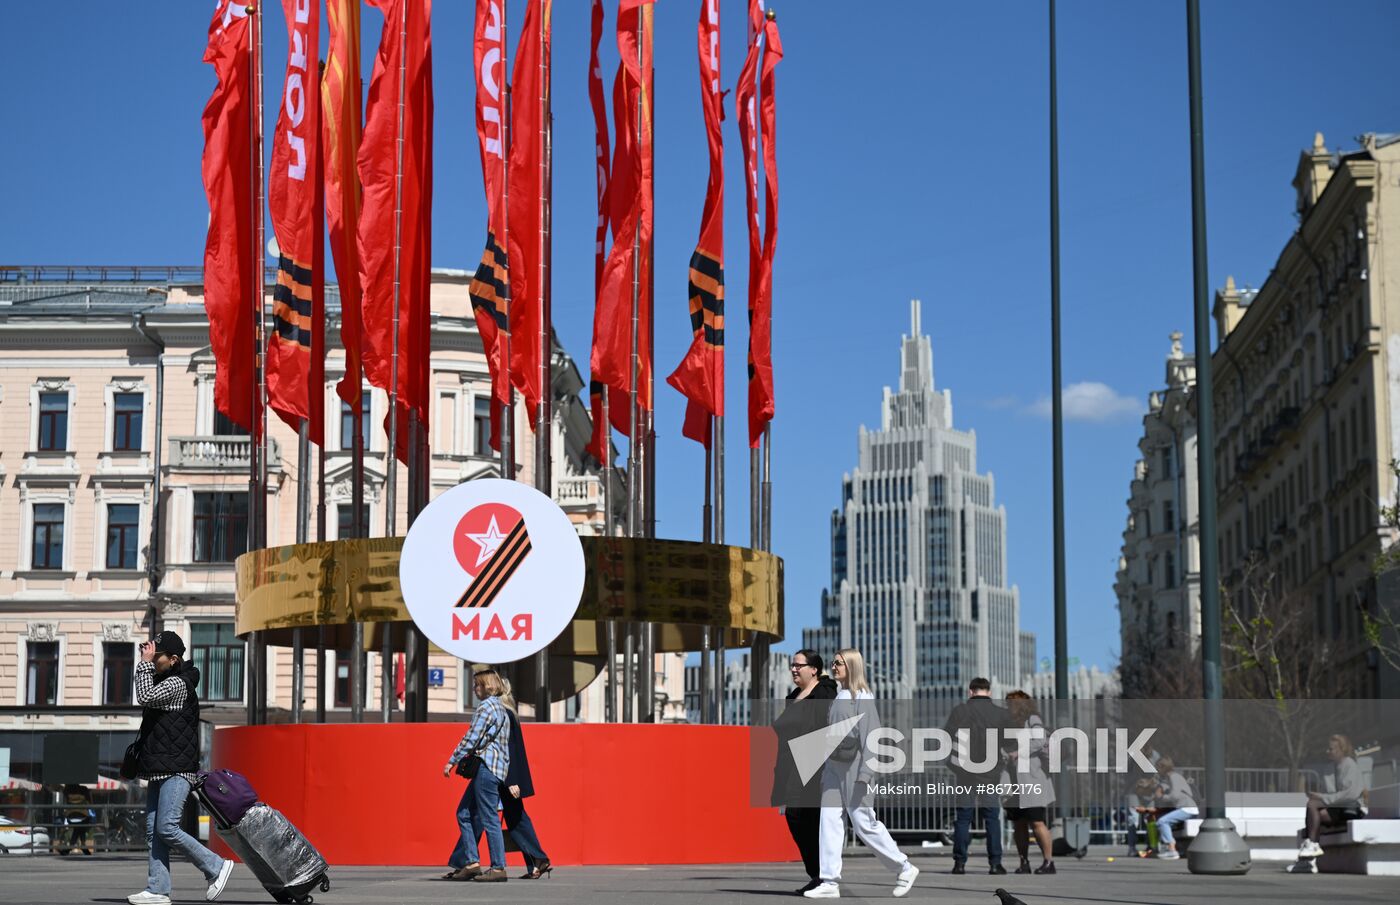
[544, 415]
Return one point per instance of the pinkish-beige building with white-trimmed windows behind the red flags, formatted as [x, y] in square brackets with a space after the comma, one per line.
[122, 491]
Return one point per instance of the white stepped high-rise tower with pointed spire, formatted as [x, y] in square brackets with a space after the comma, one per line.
[919, 553]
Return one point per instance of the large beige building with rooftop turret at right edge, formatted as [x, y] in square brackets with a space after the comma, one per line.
[1307, 382]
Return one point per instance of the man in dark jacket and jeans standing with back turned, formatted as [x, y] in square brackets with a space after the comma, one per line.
[975, 764]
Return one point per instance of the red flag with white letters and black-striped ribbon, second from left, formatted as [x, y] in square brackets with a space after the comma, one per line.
[292, 200]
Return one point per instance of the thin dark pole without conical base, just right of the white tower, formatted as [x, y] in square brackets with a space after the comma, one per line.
[1062, 633]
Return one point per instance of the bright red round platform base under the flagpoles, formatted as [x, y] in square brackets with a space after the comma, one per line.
[605, 795]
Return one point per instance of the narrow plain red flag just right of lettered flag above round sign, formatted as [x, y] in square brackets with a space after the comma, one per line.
[530, 90]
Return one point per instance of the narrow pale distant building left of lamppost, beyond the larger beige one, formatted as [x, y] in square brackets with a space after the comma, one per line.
[1158, 579]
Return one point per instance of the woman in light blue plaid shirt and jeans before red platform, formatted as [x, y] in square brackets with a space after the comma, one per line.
[486, 757]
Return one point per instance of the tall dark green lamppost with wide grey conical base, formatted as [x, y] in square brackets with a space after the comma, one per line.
[1217, 848]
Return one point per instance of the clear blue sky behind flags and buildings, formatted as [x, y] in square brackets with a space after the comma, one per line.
[913, 163]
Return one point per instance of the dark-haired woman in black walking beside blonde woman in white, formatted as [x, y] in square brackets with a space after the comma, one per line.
[808, 707]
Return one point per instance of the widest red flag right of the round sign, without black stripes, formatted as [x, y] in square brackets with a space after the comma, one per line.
[631, 202]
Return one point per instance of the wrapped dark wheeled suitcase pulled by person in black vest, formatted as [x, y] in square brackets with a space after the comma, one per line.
[282, 859]
